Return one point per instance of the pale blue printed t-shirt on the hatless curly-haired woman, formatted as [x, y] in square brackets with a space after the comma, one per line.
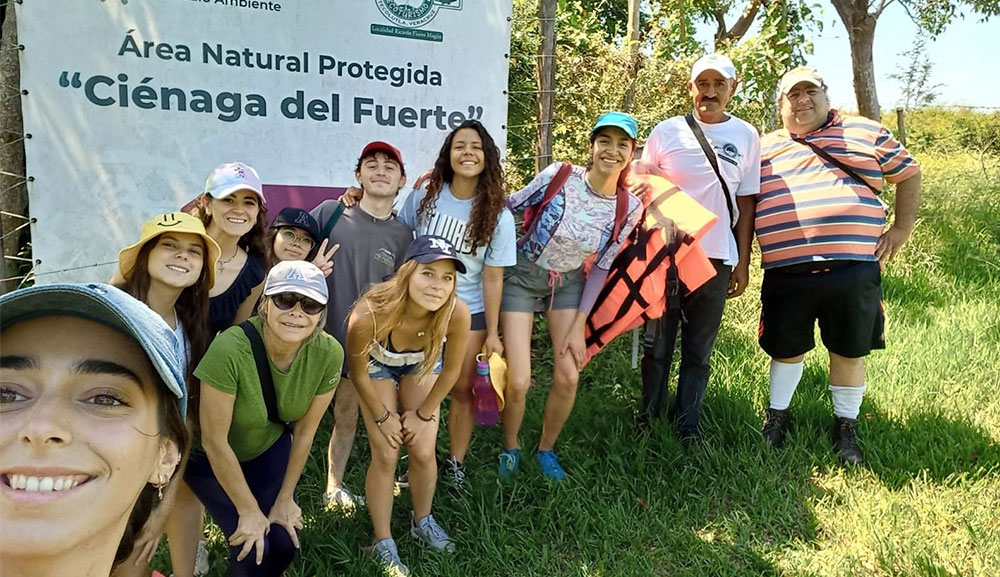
[449, 219]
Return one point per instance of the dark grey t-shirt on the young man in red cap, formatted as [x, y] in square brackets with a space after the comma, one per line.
[370, 251]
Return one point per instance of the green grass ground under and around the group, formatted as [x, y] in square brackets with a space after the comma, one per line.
[925, 503]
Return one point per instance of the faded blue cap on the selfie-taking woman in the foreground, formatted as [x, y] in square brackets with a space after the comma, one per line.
[110, 307]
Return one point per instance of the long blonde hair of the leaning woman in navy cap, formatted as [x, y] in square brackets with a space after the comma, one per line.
[387, 302]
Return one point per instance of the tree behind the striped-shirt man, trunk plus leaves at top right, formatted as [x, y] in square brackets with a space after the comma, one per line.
[859, 18]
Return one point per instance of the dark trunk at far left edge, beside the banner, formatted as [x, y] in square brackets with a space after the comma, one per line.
[13, 193]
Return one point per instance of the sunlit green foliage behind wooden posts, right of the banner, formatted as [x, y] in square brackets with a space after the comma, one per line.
[593, 64]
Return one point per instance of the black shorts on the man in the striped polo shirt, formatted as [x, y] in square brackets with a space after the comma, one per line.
[846, 300]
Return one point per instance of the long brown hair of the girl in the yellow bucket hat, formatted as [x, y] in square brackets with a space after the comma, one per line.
[192, 312]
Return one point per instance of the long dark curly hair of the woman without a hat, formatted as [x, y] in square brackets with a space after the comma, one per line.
[490, 189]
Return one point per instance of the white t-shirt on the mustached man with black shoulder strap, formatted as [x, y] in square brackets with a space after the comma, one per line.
[673, 147]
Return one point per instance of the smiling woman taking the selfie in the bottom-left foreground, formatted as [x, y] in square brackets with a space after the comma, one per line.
[92, 400]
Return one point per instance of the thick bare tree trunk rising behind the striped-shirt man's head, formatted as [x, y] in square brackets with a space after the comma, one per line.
[860, 27]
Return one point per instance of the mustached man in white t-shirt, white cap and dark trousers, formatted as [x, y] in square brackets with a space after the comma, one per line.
[674, 149]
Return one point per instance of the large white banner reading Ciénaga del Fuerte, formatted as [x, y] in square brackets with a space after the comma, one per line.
[131, 103]
